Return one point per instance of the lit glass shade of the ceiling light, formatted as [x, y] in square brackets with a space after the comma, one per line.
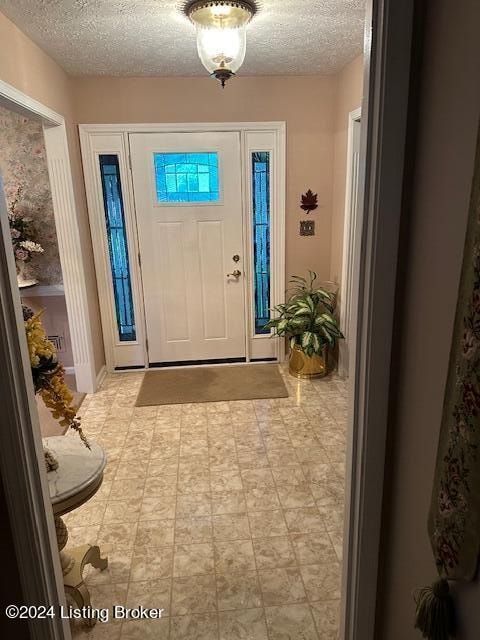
[221, 49]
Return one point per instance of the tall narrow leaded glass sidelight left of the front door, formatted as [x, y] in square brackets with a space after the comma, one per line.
[117, 247]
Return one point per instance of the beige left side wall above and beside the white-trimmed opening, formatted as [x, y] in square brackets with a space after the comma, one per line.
[29, 69]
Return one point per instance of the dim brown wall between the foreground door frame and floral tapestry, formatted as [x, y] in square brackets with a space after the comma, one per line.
[430, 265]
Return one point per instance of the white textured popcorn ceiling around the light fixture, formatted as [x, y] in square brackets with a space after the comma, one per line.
[153, 37]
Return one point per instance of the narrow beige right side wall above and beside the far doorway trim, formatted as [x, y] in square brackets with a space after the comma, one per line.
[348, 97]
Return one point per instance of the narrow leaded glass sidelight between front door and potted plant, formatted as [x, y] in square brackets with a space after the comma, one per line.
[261, 238]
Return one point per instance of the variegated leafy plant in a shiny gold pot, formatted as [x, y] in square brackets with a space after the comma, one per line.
[307, 319]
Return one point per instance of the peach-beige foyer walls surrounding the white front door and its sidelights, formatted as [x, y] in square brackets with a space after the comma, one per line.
[315, 109]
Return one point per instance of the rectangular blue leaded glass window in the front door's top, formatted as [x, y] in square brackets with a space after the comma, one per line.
[187, 177]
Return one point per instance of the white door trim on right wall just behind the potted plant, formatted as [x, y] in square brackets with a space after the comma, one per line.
[351, 226]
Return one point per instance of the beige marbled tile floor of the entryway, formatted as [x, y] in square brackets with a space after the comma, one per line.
[227, 515]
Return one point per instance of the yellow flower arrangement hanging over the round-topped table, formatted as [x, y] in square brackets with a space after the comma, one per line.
[49, 378]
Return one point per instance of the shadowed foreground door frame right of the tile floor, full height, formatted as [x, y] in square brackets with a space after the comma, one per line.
[389, 30]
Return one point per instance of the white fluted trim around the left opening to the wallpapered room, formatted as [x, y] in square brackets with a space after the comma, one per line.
[67, 230]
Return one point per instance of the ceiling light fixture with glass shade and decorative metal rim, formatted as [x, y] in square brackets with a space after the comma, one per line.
[221, 34]
